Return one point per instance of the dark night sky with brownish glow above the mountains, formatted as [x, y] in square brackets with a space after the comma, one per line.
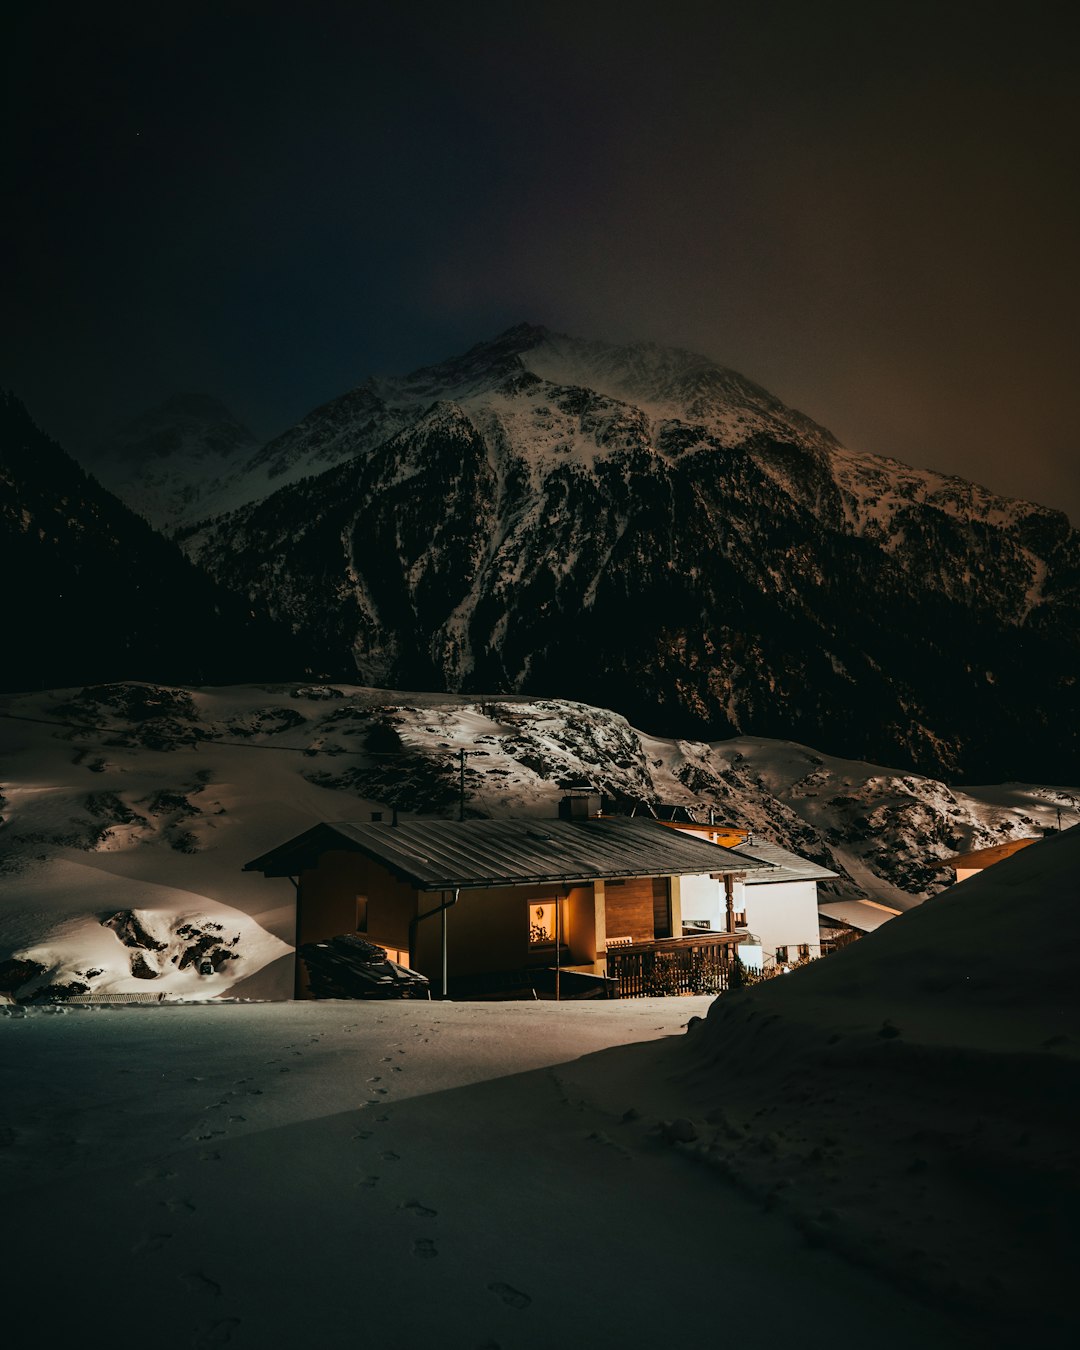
[871, 210]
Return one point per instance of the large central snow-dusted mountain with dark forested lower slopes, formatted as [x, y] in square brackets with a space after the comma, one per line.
[641, 529]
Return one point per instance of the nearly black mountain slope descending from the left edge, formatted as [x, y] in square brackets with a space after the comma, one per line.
[91, 592]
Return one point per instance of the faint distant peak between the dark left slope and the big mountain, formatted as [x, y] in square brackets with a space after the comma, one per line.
[163, 462]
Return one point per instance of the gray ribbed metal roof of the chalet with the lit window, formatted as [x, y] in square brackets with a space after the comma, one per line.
[448, 855]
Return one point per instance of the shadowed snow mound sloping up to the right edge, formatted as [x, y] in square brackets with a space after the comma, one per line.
[913, 1101]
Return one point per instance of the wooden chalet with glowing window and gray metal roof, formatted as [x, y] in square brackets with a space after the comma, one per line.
[473, 904]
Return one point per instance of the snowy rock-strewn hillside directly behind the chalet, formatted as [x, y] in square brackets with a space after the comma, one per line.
[146, 801]
